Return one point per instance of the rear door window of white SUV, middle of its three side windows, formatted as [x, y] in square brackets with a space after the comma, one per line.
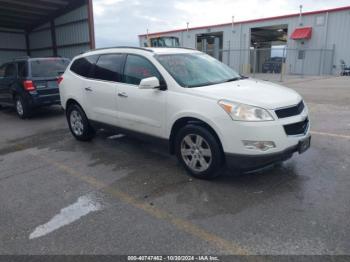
[109, 67]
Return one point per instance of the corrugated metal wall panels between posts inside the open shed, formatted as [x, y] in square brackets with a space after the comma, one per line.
[72, 35]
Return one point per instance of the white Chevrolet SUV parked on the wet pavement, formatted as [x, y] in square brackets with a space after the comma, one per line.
[209, 115]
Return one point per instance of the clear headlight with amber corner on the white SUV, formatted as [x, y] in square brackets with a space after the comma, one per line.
[242, 112]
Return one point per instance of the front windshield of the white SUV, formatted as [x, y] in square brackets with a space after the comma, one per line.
[196, 69]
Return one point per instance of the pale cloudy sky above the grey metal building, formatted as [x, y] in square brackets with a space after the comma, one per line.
[119, 22]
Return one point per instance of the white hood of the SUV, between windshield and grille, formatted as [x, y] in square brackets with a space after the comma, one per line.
[252, 92]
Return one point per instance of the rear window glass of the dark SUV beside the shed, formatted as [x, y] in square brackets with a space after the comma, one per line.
[48, 67]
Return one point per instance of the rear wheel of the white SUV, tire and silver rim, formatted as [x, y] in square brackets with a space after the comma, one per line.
[79, 124]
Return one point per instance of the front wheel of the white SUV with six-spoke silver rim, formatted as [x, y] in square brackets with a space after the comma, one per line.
[195, 144]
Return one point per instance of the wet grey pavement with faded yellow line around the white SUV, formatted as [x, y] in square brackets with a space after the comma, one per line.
[119, 195]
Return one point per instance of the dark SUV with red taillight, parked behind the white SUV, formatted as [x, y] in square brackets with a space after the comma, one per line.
[27, 83]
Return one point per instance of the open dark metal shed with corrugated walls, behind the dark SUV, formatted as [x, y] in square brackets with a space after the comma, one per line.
[45, 27]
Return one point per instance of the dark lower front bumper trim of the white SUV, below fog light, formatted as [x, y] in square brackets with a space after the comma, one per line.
[254, 162]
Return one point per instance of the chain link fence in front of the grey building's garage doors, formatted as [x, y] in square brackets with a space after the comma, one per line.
[278, 62]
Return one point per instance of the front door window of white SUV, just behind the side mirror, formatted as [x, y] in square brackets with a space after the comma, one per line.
[138, 68]
